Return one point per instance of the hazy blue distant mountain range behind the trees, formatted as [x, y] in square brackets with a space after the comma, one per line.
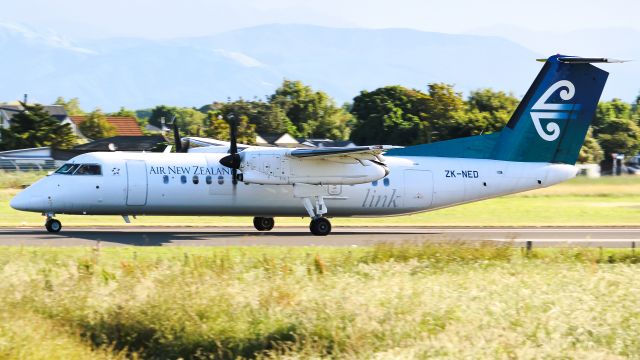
[252, 62]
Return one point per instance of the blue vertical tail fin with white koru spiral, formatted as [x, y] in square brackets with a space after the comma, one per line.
[552, 120]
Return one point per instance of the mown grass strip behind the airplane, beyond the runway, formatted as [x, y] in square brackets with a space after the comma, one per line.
[581, 201]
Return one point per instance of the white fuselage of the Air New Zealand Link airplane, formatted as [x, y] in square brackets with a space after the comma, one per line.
[196, 184]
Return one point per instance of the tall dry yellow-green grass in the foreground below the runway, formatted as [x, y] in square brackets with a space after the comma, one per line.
[384, 302]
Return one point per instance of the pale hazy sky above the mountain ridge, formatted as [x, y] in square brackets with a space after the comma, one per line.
[79, 19]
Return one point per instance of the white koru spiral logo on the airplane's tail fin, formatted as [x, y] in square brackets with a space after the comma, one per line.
[543, 110]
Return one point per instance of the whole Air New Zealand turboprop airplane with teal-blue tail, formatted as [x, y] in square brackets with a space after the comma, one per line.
[537, 148]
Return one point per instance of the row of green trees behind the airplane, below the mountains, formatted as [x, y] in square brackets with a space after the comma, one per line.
[388, 115]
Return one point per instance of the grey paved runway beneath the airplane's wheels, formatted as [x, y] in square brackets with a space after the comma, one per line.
[614, 237]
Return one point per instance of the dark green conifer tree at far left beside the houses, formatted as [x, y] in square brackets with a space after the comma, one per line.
[35, 127]
